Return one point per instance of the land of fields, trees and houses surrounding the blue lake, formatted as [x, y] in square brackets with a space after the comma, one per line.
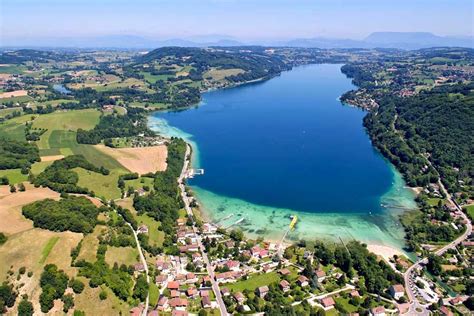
[167, 259]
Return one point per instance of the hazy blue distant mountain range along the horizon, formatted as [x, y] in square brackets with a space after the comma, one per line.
[401, 40]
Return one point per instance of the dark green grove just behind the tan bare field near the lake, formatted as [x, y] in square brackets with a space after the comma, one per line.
[111, 126]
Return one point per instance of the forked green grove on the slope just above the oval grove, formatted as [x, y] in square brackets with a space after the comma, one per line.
[59, 176]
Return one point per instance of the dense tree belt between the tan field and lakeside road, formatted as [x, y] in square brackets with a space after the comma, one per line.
[164, 202]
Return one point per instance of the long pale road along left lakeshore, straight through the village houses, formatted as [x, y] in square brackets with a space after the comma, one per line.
[215, 286]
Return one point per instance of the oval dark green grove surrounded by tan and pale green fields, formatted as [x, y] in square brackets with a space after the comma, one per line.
[76, 214]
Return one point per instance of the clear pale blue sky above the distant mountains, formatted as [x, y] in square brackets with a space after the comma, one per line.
[242, 19]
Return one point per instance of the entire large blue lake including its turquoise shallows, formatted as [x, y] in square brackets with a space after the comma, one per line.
[288, 146]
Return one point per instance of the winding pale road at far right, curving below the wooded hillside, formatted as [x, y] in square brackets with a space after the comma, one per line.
[408, 276]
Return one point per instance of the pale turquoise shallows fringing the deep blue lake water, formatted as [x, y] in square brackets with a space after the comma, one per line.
[380, 231]
